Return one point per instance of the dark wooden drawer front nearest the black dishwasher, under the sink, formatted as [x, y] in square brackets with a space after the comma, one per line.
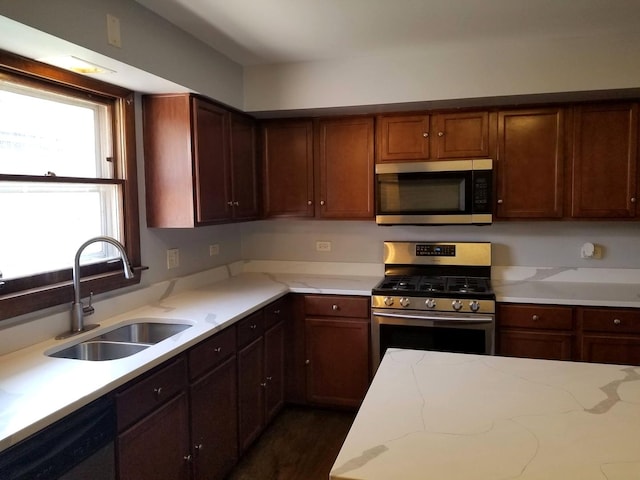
[147, 394]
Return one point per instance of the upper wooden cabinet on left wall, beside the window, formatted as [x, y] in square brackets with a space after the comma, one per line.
[199, 162]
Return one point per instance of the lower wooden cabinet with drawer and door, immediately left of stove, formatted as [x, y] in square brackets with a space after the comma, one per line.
[337, 349]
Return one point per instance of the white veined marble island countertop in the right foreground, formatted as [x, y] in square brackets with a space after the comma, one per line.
[430, 415]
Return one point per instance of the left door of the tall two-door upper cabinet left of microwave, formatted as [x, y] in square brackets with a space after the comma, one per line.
[288, 169]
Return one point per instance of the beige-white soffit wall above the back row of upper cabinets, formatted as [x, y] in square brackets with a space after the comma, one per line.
[444, 72]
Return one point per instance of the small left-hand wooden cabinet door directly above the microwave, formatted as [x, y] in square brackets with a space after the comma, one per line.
[402, 138]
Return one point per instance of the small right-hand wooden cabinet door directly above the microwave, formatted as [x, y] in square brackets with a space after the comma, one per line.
[461, 135]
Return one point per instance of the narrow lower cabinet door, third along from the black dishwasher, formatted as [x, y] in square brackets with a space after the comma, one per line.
[250, 392]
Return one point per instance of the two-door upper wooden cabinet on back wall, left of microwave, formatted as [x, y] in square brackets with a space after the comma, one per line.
[319, 169]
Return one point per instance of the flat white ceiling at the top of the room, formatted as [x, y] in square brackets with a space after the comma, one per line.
[254, 32]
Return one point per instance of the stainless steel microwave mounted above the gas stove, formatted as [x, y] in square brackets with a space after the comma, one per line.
[435, 193]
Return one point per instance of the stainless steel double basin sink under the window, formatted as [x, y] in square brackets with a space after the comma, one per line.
[122, 341]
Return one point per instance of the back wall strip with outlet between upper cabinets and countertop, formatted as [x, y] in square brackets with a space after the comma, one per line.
[536, 244]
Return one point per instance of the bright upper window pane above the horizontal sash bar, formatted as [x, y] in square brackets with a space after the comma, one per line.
[43, 132]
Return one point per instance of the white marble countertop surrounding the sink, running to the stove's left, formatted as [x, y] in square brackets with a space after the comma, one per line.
[37, 390]
